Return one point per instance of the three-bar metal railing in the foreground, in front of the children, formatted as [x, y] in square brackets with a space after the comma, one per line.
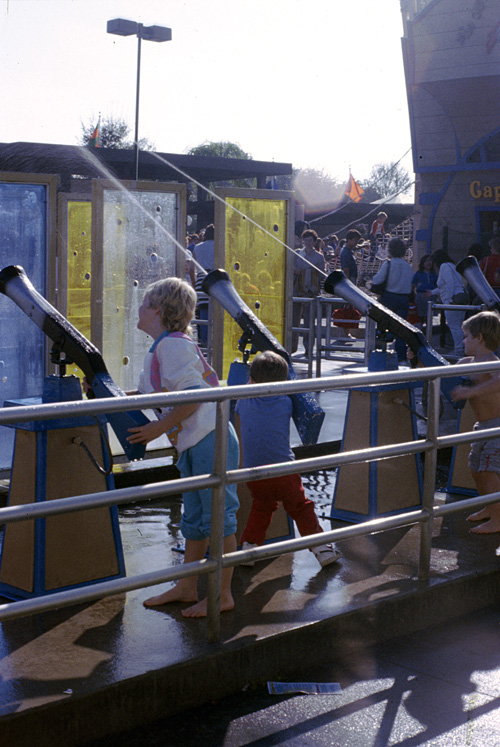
[217, 481]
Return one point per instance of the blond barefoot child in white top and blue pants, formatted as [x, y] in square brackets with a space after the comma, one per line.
[174, 363]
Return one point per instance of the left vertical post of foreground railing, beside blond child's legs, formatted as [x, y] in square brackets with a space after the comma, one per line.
[216, 546]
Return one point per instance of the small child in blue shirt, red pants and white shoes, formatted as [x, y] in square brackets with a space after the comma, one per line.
[265, 439]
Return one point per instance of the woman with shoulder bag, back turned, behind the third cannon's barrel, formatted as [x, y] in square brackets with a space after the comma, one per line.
[396, 276]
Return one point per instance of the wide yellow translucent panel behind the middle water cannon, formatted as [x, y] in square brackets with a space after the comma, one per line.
[256, 263]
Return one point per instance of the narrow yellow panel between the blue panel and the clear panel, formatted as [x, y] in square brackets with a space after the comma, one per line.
[79, 264]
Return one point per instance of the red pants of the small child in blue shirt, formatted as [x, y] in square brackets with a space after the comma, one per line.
[266, 495]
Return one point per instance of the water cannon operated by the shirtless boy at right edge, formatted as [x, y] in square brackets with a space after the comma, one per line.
[388, 322]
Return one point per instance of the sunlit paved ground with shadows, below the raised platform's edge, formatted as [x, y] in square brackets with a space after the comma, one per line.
[435, 688]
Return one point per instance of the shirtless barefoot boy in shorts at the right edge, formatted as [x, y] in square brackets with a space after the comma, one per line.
[481, 339]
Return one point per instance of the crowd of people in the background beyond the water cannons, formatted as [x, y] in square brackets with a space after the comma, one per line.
[406, 292]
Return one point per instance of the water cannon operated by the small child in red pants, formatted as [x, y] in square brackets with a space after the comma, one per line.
[307, 415]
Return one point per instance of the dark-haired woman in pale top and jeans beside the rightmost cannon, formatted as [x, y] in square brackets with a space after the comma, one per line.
[451, 290]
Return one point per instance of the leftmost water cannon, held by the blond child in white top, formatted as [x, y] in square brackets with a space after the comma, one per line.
[70, 346]
